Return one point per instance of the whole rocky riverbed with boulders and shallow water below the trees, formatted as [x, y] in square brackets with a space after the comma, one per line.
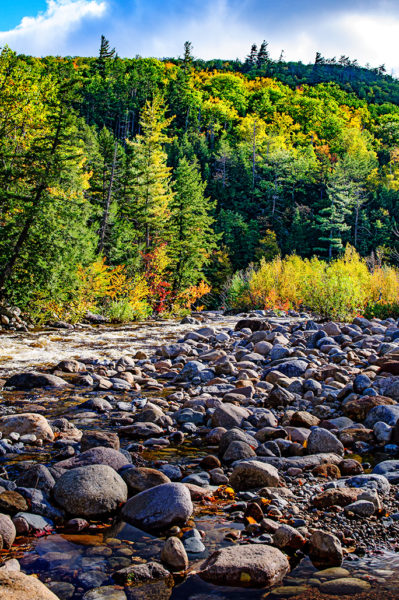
[253, 457]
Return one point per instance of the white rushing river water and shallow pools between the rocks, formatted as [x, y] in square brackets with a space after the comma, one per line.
[74, 563]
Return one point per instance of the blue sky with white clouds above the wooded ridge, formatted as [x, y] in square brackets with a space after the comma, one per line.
[367, 30]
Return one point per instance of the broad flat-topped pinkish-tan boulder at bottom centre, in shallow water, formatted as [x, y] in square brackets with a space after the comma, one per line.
[245, 566]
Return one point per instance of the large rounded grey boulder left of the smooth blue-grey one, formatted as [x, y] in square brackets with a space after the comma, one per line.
[90, 491]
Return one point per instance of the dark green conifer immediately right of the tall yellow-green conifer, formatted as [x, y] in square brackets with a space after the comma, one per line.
[192, 238]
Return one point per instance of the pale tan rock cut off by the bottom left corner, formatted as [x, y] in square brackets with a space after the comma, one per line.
[15, 586]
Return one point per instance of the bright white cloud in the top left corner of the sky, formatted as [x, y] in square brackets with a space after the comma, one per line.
[48, 32]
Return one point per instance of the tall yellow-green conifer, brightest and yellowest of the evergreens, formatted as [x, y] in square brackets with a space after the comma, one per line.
[149, 192]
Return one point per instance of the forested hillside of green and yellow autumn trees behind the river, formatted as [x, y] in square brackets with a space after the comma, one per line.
[144, 180]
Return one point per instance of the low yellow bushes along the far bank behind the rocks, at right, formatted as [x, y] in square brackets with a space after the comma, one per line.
[339, 289]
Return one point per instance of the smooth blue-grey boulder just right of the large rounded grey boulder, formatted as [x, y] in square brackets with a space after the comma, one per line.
[159, 507]
